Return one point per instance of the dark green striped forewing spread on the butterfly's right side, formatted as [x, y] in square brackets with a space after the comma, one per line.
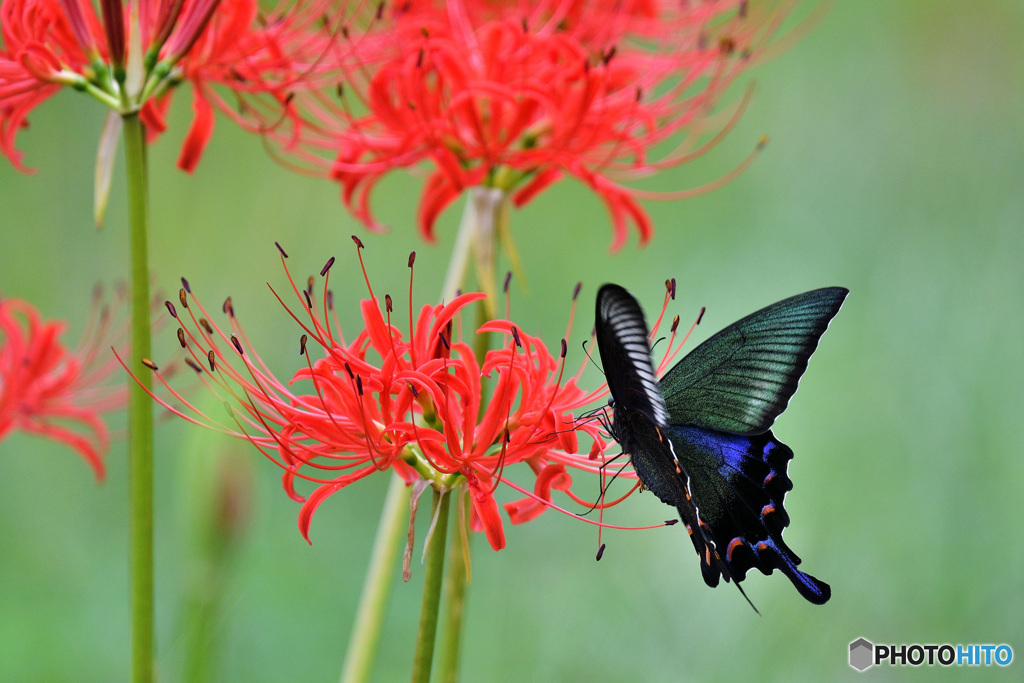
[743, 378]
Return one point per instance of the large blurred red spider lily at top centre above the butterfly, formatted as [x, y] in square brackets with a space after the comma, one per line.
[518, 96]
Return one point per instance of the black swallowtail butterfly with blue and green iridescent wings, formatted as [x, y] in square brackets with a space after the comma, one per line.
[701, 439]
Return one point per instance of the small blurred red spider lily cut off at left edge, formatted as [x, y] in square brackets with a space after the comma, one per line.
[50, 391]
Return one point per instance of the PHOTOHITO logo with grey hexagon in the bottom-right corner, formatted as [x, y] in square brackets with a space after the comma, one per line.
[865, 655]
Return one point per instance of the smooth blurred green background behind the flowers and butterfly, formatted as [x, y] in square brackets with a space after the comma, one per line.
[895, 168]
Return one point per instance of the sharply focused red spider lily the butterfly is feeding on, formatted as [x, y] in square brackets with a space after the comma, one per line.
[417, 400]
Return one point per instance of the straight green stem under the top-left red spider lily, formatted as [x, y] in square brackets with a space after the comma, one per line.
[140, 409]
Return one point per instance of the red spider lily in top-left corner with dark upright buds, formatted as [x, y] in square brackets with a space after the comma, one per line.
[48, 45]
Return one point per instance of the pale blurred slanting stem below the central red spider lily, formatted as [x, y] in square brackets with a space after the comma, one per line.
[377, 586]
